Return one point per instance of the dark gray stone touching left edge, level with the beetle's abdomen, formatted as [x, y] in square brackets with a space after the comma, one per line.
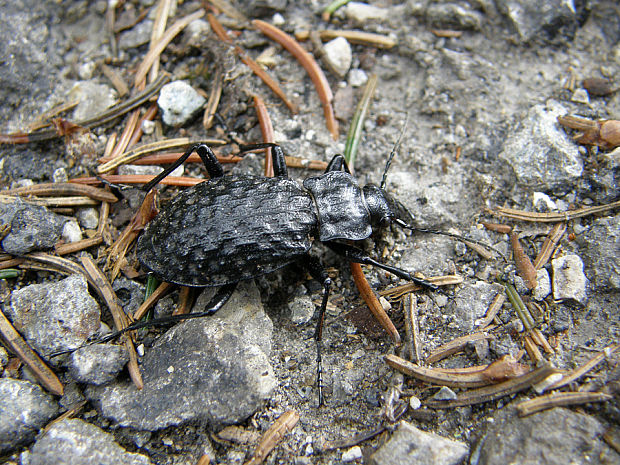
[32, 227]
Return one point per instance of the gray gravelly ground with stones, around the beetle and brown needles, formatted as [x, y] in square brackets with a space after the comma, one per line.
[478, 114]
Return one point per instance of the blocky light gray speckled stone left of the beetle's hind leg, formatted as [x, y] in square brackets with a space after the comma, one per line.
[55, 316]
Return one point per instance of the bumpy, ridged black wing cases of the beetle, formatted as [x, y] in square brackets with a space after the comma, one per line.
[229, 229]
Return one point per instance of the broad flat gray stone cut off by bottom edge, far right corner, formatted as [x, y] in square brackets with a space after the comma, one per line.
[559, 435]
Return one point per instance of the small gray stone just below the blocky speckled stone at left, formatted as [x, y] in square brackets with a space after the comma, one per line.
[98, 363]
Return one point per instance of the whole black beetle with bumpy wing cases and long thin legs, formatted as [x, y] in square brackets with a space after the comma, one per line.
[235, 228]
